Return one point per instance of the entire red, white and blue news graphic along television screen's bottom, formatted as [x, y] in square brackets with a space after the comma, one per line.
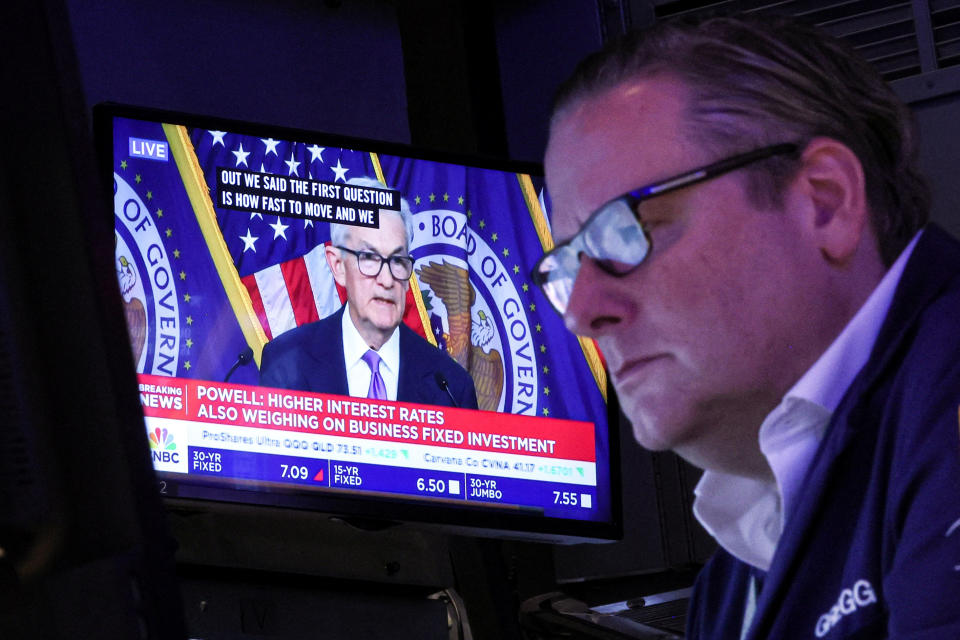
[352, 444]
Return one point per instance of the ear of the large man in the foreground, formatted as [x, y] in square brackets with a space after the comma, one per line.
[831, 175]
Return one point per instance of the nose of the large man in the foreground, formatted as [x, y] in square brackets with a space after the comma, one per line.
[594, 306]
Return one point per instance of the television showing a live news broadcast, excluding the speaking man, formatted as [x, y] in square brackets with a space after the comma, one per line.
[220, 229]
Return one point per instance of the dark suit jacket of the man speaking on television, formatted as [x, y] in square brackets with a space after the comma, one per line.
[310, 358]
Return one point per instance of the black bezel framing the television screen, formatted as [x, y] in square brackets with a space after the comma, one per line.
[380, 510]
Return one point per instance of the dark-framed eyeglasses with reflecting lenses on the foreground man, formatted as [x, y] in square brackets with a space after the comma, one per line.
[615, 237]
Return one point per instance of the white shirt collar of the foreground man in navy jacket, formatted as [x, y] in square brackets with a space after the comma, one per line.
[747, 516]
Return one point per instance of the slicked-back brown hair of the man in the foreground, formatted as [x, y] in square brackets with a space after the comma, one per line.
[760, 80]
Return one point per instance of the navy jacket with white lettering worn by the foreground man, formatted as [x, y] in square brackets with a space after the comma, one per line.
[872, 549]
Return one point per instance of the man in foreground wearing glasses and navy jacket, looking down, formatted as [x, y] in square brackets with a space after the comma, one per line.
[742, 227]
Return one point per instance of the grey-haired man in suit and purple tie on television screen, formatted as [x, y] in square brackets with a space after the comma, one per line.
[364, 350]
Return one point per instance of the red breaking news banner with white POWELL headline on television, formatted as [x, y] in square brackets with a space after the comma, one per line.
[296, 411]
